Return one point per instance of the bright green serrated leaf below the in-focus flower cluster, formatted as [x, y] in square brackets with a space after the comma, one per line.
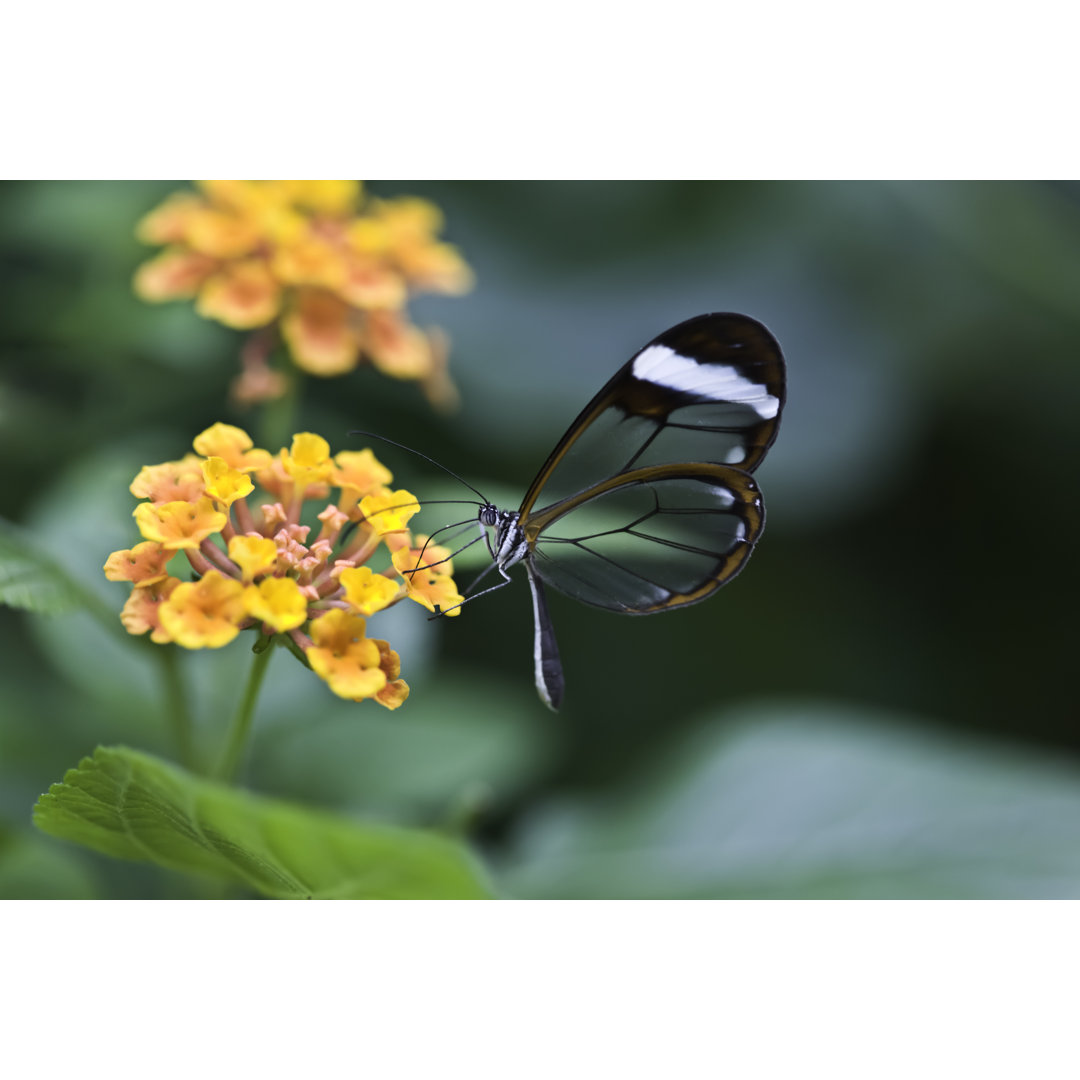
[132, 806]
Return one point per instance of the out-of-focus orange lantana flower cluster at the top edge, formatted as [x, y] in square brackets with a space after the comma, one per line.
[328, 266]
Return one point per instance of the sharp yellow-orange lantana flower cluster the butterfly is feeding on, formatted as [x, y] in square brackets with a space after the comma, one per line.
[256, 565]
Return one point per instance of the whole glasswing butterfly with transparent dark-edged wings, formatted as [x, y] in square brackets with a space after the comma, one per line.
[647, 503]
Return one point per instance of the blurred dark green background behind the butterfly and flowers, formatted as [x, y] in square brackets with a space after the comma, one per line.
[884, 705]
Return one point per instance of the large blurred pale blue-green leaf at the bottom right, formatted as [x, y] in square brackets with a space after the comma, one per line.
[817, 802]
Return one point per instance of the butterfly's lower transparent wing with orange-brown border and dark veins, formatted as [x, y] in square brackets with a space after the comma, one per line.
[651, 539]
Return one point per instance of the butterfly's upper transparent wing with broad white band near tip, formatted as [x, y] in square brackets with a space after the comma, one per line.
[709, 390]
